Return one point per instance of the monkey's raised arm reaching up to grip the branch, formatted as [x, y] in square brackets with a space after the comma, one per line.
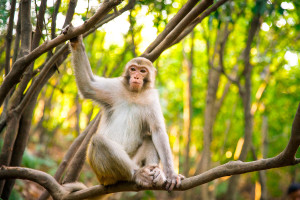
[90, 86]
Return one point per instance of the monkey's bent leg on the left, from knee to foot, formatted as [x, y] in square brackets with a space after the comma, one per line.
[112, 164]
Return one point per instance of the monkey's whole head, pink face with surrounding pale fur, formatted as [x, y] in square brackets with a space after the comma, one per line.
[139, 74]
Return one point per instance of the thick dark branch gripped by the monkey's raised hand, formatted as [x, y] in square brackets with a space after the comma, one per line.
[21, 64]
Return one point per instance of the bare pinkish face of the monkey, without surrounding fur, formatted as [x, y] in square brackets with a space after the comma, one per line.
[137, 76]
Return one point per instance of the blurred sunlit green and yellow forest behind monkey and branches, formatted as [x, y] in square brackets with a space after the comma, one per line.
[245, 53]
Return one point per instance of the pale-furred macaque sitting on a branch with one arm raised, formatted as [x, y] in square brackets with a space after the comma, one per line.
[131, 138]
